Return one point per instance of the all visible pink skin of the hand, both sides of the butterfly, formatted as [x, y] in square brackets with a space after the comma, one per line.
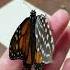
[61, 33]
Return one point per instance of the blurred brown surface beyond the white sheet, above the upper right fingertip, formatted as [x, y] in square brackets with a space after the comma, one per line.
[50, 6]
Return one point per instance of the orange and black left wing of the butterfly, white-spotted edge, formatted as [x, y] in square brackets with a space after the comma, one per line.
[20, 43]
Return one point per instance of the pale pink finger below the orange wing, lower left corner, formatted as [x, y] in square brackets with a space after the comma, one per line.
[7, 64]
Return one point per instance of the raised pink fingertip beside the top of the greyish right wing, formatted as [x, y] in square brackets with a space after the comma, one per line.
[59, 21]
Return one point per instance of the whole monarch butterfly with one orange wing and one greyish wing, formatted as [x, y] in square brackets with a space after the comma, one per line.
[32, 42]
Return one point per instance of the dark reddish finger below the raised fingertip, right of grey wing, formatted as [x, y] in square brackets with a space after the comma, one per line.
[61, 50]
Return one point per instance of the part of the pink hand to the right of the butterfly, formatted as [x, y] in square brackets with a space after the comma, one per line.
[61, 33]
